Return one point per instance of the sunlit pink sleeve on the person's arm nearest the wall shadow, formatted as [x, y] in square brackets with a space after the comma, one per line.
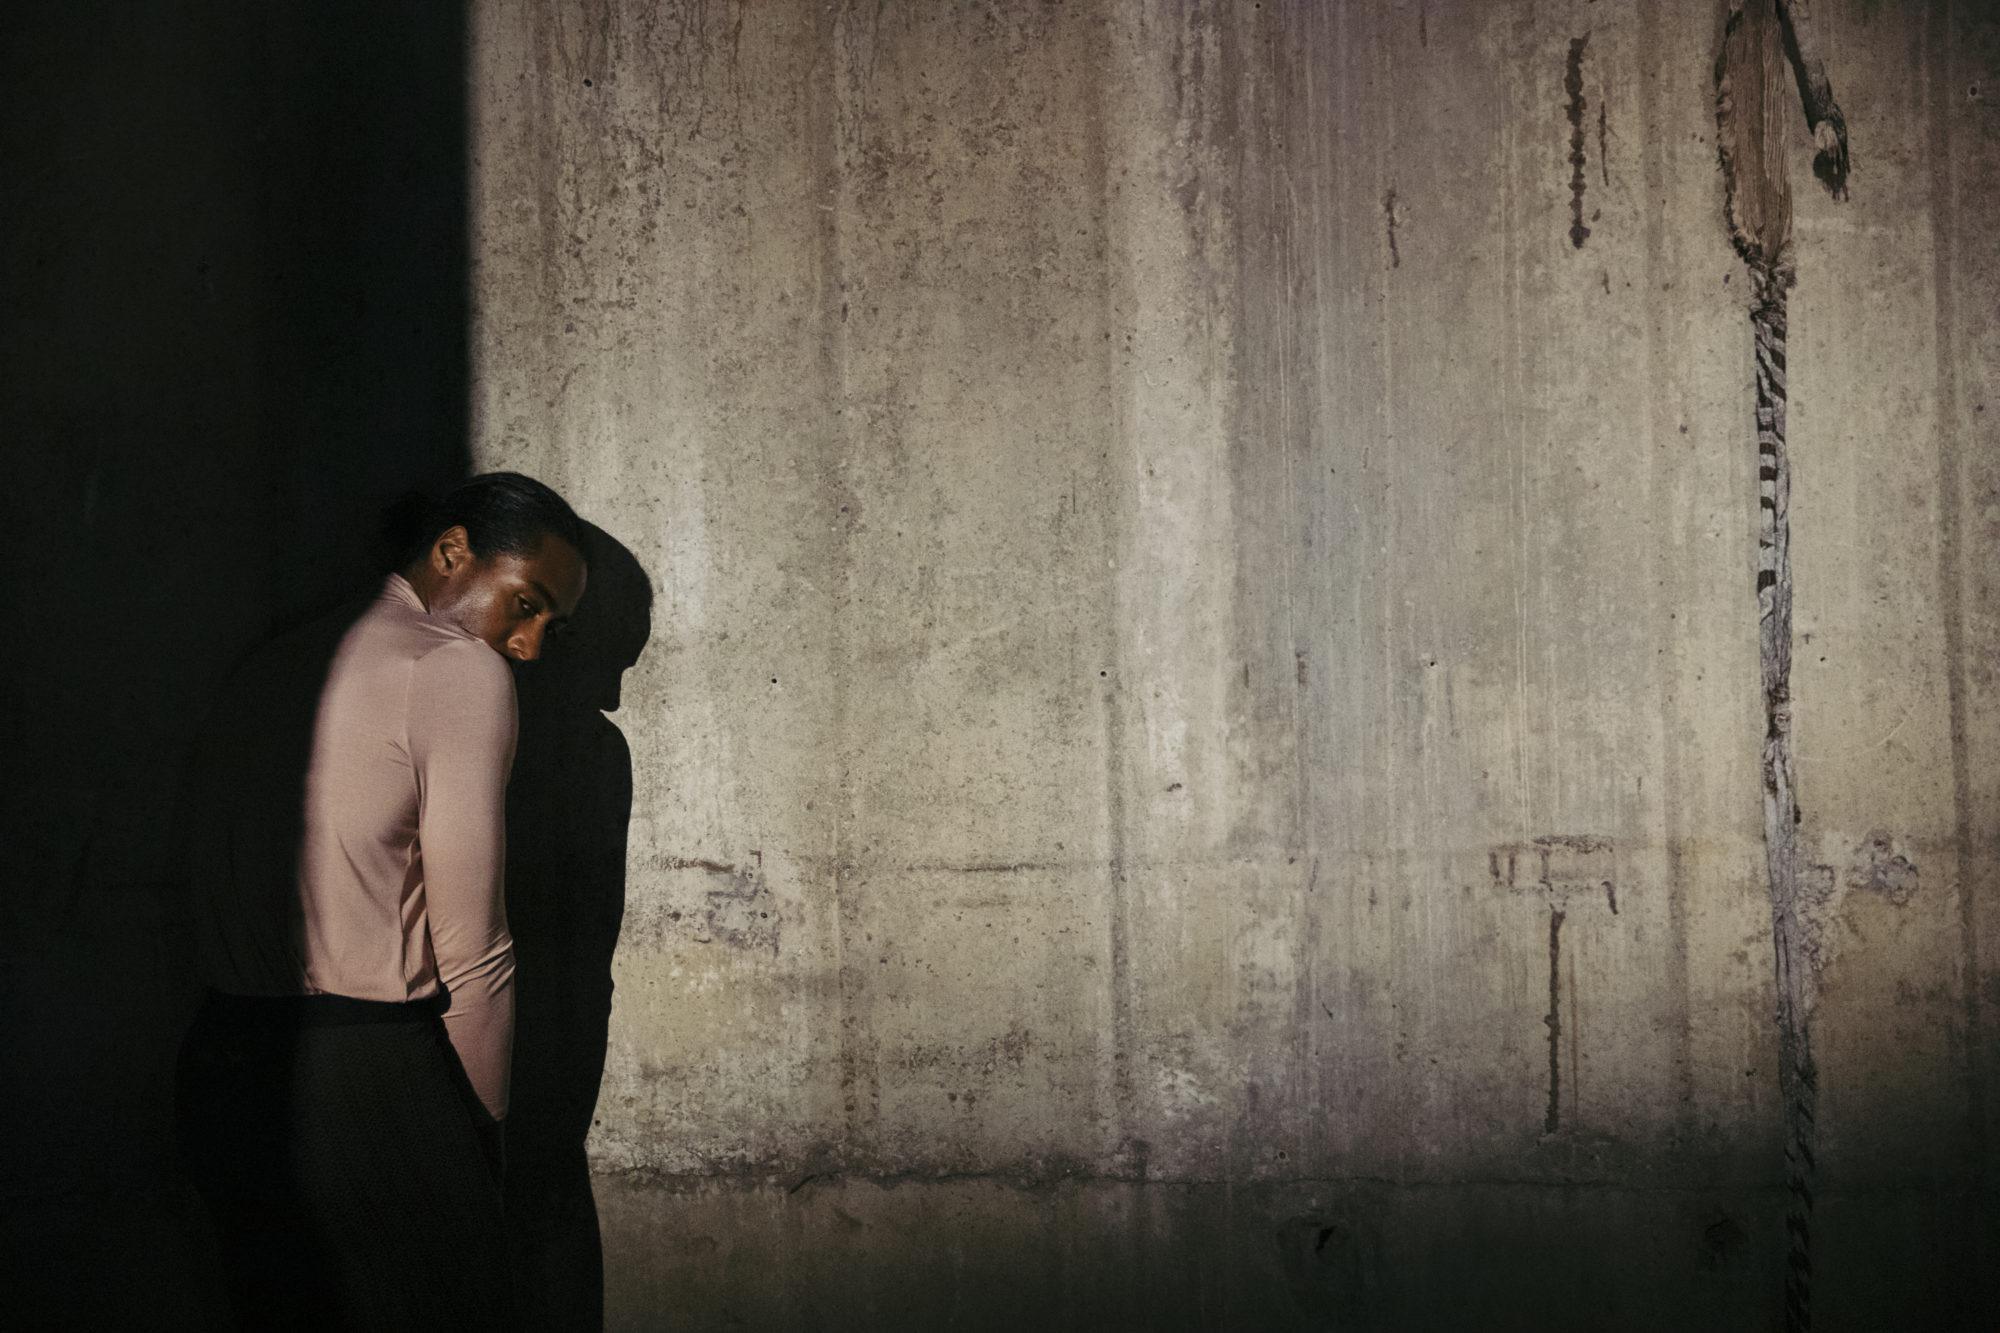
[461, 726]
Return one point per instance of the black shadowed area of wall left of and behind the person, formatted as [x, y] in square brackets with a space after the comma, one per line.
[235, 301]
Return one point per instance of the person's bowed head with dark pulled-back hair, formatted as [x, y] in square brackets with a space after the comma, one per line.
[501, 557]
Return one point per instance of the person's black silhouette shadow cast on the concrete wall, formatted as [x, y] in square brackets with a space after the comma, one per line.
[569, 808]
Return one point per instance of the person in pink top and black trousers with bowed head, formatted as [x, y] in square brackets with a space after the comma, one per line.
[343, 1088]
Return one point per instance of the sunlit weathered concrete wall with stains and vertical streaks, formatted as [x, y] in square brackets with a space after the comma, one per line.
[1205, 686]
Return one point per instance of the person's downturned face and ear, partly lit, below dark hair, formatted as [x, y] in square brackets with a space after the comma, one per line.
[511, 601]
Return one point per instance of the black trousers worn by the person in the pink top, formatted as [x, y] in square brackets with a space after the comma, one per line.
[339, 1148]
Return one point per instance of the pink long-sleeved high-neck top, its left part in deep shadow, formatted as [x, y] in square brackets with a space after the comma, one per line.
[379, 876]
